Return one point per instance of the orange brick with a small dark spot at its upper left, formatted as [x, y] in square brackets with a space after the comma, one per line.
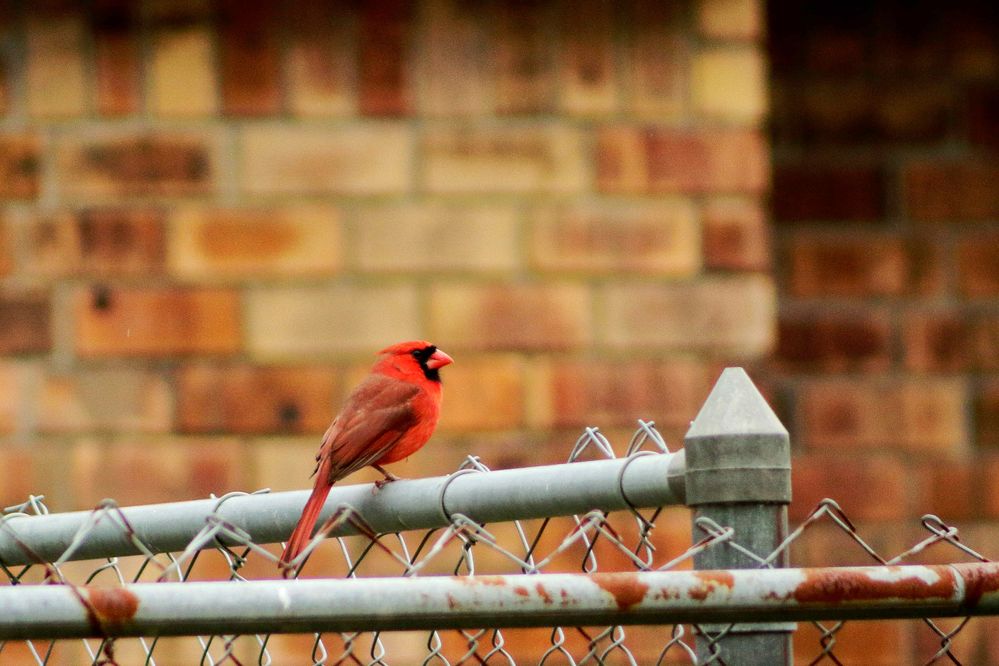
[156, 321]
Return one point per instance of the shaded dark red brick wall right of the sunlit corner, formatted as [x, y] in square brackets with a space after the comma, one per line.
[885, 200]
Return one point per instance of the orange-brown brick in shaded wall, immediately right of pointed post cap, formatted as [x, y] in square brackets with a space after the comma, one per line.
[924, 415]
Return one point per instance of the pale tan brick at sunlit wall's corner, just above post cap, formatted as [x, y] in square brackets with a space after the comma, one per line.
[731, 315]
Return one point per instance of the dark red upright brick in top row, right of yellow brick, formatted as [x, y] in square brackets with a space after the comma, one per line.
[249, 58]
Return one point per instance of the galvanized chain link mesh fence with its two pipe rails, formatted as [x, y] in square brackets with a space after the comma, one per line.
[382, 586]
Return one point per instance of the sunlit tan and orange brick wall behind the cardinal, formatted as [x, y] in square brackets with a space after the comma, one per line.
[214, 215]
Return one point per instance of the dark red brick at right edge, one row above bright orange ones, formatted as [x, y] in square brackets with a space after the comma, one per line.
[951, 191]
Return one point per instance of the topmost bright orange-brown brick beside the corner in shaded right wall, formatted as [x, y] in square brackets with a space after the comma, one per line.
[847, 265]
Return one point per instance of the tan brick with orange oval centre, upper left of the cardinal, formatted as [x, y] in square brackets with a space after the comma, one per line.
[212, 243]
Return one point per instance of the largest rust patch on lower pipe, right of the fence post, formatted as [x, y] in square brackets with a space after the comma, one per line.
[838, 586]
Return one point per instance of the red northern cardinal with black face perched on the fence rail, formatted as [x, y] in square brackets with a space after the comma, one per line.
[388, 416]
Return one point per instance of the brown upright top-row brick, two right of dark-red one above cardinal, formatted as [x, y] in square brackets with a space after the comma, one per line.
[525, 81]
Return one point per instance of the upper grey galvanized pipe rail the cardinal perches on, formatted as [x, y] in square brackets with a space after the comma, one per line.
[639, 481]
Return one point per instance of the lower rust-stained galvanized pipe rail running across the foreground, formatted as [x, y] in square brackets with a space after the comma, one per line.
[438, 602]
